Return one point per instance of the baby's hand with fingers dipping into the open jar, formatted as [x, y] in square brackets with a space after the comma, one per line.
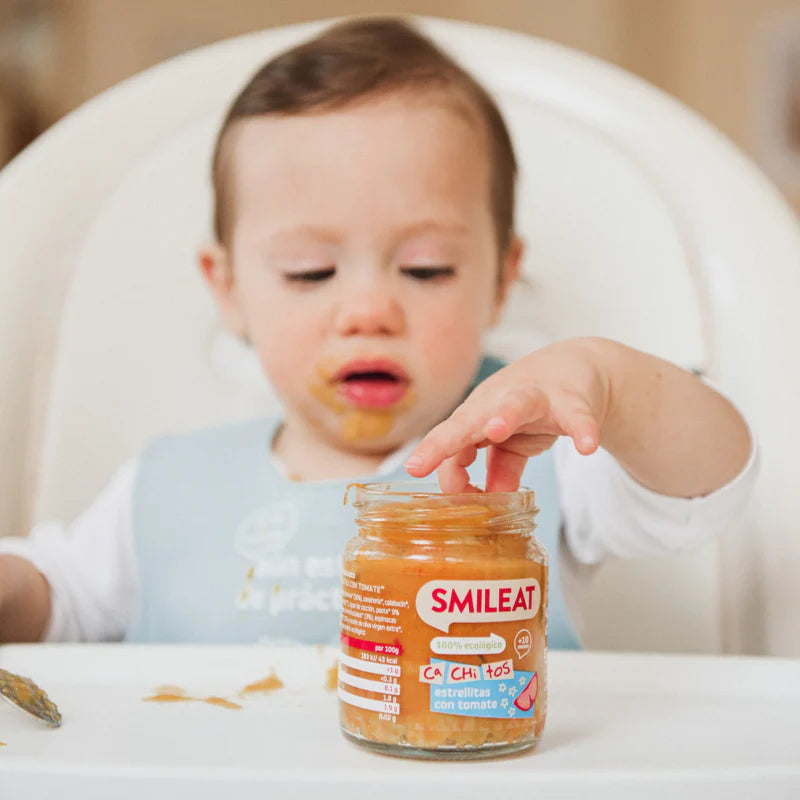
[560, 390]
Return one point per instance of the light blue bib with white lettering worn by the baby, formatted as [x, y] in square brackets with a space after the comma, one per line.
[230, 551]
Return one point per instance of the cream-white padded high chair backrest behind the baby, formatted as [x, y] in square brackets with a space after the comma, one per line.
[642, 223]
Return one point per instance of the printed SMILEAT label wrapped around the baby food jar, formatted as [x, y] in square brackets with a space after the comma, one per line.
[467, 648]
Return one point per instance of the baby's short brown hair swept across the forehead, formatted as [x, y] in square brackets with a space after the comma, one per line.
[357, 59]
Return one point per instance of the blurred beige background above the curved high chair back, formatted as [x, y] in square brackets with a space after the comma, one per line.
[736, 62]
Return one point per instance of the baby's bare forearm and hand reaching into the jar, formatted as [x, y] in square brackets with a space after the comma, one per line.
[668, 429]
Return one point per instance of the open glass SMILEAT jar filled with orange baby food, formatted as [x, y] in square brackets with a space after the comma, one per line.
[444, 620]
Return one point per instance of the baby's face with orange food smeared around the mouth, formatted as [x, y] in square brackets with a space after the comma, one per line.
[362, 263]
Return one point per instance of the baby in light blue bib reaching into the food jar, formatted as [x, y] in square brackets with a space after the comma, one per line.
[364, 242]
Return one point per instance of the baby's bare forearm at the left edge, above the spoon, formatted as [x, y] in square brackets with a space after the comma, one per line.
[24, 600]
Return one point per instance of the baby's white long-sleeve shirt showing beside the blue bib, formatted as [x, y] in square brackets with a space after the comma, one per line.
[91, 566]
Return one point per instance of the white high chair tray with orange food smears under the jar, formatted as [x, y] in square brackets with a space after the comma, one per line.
[619, 725]
